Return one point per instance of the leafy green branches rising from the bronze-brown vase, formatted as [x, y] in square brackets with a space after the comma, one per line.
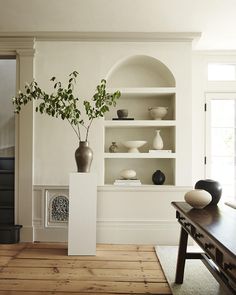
[62, 103]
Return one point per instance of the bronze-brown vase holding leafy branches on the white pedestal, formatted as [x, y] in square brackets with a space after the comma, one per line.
[83, 157]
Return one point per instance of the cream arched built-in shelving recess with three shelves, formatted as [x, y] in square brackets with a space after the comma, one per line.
[144, 82]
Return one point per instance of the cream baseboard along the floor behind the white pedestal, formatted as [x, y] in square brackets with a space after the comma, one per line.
[121, 232]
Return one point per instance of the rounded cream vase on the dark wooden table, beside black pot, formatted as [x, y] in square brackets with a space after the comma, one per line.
[198, 198]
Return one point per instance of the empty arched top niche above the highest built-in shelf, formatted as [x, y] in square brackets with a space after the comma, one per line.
[140, 71]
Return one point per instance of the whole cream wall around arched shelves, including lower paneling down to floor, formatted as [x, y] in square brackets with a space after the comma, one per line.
[142, 215]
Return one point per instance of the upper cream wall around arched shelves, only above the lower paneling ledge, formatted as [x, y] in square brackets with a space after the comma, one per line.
[55, 141]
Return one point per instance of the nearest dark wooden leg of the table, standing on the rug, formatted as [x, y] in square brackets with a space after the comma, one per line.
[179, 275]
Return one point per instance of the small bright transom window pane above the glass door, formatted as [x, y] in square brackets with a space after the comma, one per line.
[221, 72]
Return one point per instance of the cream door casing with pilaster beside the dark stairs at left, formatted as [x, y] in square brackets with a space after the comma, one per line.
[23, 50]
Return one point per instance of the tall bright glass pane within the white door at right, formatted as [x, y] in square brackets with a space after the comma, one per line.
[222, 147]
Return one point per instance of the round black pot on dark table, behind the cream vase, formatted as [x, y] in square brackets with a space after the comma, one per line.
[211, 186]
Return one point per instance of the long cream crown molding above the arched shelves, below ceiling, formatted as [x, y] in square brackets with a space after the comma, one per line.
[105, 36]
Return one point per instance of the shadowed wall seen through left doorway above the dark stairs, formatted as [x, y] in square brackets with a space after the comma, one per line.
[7, 91]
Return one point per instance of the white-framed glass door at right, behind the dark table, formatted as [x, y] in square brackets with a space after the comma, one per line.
[221, 141]
